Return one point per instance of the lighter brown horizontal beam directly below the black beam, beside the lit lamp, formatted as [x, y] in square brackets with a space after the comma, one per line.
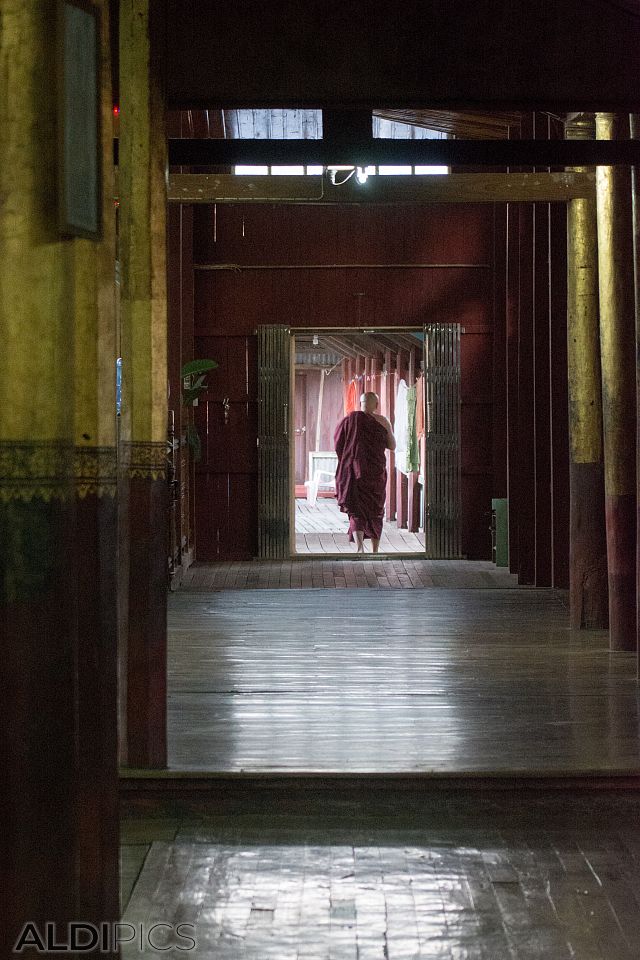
[455, 188]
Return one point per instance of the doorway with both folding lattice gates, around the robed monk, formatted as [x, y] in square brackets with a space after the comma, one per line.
[425, 477]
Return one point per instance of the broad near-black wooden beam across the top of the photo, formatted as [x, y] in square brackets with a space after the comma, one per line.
[471, 55]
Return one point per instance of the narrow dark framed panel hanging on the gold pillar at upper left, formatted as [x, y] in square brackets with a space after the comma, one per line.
[79, 140]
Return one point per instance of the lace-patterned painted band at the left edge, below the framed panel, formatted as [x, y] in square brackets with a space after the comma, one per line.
[55, 470]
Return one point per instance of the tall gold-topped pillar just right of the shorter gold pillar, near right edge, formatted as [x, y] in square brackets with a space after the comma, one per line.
[617, 344]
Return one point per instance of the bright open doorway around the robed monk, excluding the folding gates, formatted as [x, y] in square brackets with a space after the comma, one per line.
[332, 368]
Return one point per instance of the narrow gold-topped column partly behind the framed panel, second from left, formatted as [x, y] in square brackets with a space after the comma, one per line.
[93, 307]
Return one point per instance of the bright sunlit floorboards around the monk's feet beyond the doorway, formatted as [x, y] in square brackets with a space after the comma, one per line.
[321, 528]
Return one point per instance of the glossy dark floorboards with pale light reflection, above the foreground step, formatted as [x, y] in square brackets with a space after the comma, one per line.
[445, 681]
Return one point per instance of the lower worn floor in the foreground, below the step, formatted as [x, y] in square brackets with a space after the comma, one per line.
[450, 876]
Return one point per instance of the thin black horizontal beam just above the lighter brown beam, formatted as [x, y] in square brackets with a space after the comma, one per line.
[494, 153]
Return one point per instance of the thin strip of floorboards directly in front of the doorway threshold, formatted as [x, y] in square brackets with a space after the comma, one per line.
[366, 571]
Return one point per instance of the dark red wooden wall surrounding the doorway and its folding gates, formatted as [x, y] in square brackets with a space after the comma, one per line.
[315, 266]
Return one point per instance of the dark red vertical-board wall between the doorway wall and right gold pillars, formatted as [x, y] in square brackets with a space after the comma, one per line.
[531, 405]
